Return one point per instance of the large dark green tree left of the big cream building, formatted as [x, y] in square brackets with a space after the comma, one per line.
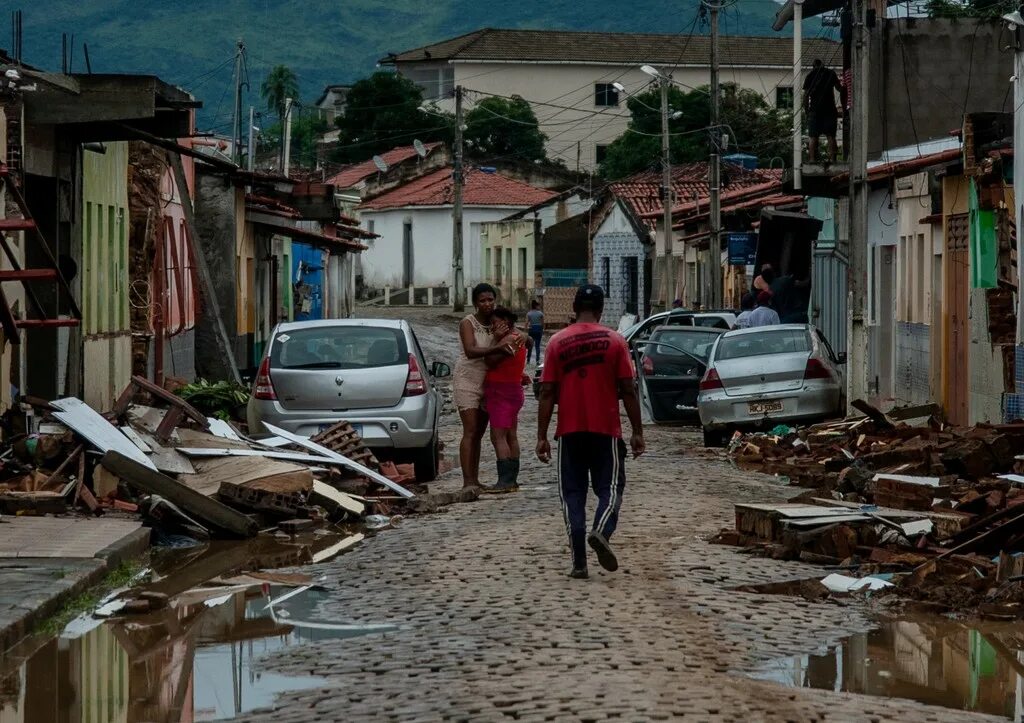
[382, 112]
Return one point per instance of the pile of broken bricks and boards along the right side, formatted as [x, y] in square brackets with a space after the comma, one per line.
[935, 511]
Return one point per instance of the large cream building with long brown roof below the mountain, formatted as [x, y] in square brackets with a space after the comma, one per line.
[569, 77]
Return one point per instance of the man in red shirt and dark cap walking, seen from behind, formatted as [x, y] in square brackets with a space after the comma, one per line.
[586, 371]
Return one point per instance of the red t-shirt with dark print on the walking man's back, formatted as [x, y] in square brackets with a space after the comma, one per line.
[586, 361]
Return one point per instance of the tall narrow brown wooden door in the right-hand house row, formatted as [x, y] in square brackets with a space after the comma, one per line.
[956, 371]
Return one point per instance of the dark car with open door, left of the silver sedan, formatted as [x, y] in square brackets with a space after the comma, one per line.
[673, 361]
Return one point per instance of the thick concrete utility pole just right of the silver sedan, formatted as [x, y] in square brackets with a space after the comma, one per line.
[858, 269]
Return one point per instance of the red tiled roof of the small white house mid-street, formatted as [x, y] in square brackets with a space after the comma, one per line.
[480, 190]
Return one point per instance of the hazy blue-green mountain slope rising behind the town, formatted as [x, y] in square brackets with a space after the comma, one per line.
[192, 42]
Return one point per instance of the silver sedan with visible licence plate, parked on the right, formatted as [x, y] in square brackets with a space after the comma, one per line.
[769, 375]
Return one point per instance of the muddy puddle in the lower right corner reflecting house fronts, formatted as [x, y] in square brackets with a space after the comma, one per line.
[977, 667]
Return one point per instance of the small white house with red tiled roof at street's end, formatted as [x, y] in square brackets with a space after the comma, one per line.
[414, 223]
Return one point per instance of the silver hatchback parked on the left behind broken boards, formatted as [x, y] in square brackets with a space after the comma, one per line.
[370, 373]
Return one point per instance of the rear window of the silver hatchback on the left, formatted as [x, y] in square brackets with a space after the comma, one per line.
[339, 348]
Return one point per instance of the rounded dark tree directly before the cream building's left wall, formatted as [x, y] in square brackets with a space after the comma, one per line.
[504, 127]
